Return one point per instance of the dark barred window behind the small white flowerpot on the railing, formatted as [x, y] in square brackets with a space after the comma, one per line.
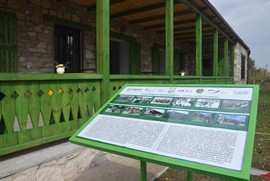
[68, 47]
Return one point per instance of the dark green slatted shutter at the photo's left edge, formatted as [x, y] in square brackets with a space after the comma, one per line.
[8, 42]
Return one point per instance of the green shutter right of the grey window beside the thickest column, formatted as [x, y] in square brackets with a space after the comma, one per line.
[135, 57]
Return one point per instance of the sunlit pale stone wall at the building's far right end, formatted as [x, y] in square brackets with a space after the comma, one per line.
[238, 53]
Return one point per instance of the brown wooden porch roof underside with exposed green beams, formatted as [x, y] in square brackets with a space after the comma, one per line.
[150, 14]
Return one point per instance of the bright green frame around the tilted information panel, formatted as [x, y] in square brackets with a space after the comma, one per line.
[190, 166]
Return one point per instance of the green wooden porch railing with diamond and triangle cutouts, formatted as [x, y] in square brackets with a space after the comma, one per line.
[40, 108]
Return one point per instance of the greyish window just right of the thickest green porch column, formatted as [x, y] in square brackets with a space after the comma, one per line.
[119, 56]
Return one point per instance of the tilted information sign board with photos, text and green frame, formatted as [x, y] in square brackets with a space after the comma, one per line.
[207, 128]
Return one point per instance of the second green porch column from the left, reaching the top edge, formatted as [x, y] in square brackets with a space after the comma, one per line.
[169, 39]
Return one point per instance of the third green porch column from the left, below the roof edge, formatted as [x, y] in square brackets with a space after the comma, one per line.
[198, 45]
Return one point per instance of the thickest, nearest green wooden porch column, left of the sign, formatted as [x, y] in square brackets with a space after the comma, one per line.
[103, 46]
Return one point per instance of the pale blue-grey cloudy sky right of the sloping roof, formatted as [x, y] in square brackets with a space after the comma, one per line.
[250, 19]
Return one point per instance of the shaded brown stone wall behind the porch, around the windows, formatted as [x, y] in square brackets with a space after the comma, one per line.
[35, 35]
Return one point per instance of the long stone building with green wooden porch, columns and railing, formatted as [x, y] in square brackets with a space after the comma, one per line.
[103, 48]
